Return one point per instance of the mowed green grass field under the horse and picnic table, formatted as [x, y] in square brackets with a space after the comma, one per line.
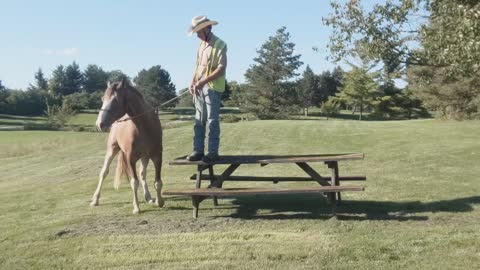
[420, 209]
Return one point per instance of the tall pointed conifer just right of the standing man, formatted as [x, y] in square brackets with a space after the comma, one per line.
[268, 94]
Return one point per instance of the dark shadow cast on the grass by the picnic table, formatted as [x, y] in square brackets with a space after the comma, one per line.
[315, 207]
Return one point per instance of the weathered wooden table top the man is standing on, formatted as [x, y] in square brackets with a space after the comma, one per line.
[267, 159]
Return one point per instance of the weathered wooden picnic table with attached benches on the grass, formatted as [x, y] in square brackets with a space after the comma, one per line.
[329, 186]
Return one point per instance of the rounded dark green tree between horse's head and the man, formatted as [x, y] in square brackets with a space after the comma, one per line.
[156, 86]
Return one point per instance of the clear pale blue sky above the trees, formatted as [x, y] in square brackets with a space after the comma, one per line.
[130, 35]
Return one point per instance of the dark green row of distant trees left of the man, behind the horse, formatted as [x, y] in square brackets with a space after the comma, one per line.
[77, 90]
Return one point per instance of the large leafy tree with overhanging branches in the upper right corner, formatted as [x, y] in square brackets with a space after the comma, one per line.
[432, 41]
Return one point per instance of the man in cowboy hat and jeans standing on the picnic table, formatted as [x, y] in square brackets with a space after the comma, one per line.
[207, 86]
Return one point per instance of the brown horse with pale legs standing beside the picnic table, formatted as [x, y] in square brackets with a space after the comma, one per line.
[136, 134]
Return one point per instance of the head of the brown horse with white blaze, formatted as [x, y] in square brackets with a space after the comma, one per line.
[114, 104]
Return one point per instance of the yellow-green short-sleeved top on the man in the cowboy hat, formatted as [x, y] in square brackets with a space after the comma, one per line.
[205, 54]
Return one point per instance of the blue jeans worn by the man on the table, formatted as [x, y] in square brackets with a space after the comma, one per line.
[207, 107]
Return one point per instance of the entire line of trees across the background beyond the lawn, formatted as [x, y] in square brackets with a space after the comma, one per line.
[432, 45]
